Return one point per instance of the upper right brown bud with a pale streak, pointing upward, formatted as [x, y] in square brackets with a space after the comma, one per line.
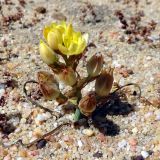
[94, 65]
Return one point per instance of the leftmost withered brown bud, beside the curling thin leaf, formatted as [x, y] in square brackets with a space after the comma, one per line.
[48, 85]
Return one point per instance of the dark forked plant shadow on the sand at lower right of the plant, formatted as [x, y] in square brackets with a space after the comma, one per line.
[114, 106]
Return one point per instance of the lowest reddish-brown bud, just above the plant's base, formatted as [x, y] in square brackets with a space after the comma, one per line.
[87, 104]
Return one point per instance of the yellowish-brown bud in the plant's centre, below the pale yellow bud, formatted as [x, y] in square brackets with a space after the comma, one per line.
[67, 76]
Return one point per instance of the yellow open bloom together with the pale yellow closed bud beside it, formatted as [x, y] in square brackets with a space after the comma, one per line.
[61, 38]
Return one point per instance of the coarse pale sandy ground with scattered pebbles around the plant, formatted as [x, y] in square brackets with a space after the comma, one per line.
[130, 135]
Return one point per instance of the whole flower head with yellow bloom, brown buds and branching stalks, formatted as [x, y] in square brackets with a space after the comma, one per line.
[62, 40]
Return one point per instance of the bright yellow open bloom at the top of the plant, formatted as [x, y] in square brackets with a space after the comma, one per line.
[62, 37]
